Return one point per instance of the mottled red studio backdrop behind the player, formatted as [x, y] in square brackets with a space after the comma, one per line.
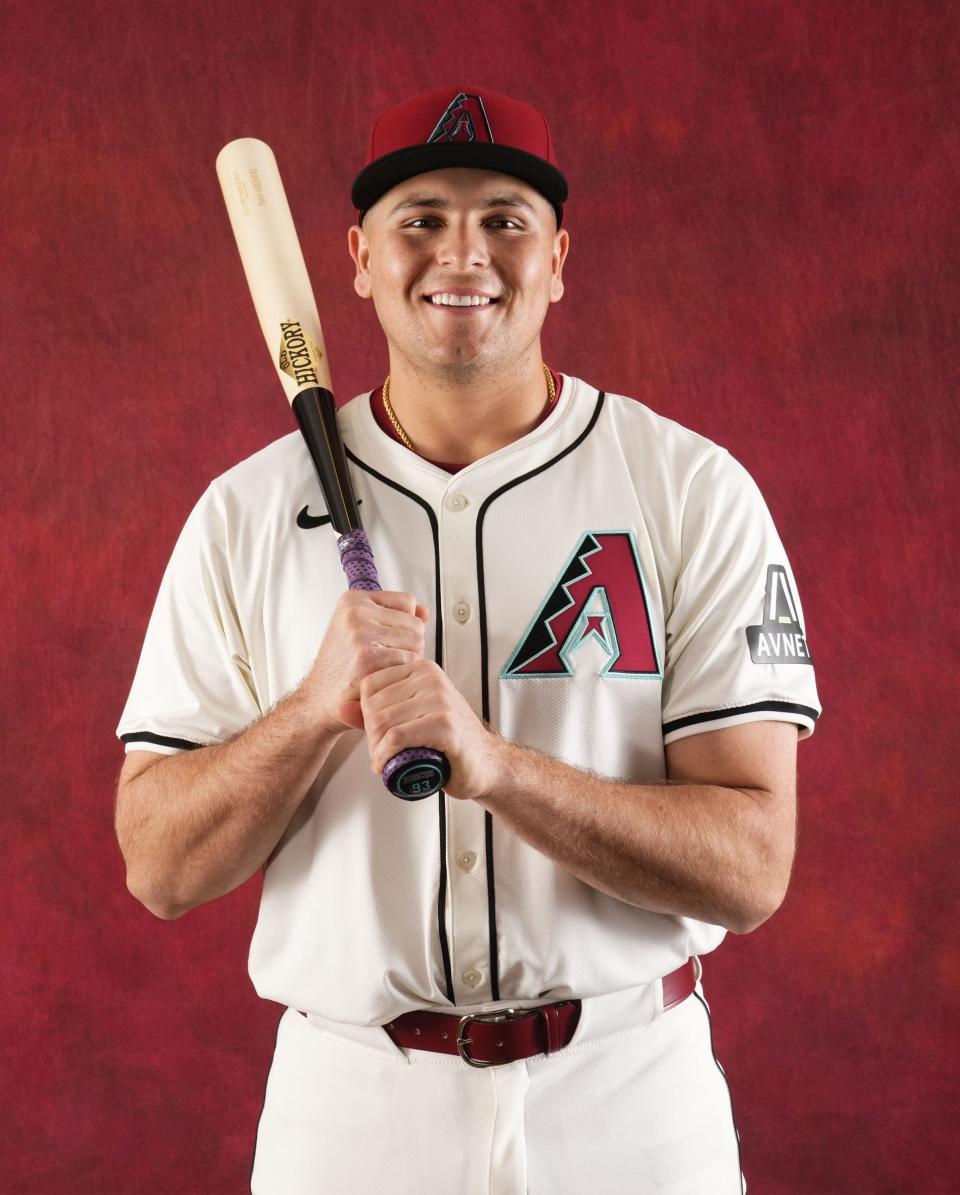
[765, 247]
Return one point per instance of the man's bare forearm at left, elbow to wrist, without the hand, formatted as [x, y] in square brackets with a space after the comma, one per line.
[197, 825]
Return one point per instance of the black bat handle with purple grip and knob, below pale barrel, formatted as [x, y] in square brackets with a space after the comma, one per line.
[419, 771]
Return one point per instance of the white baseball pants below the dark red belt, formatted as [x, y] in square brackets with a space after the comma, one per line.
[637, 1104]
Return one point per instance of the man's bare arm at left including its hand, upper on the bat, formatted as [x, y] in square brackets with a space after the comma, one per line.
[194, 826]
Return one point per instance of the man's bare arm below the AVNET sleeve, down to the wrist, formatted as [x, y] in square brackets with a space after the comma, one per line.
[716, 842]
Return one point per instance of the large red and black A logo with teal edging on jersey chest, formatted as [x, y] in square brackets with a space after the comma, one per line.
[600, 598]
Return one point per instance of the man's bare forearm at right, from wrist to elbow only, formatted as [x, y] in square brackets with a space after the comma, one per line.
[695, 850]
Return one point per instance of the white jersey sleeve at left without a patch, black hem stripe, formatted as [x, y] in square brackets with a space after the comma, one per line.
[193, 685]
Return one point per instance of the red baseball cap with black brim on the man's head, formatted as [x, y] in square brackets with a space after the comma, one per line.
[460, 127]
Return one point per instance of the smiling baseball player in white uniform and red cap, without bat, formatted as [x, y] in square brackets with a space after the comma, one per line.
[589, 610]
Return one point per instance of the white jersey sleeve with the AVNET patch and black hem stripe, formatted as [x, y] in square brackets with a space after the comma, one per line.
[736, 639]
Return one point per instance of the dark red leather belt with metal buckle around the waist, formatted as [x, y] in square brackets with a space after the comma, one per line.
[491, 1039]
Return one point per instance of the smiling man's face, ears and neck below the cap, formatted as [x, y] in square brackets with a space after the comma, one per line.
[462, 266]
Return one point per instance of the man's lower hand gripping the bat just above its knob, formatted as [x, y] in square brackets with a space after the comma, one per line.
[418, 706]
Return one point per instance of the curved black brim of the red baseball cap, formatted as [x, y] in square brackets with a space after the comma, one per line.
[376, 180]
